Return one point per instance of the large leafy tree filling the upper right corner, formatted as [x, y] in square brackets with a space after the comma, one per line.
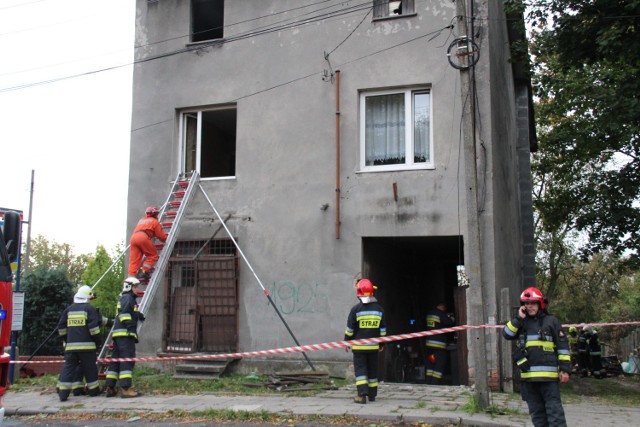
[586, 78]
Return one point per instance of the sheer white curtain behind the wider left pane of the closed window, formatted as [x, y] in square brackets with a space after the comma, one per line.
[385, 129]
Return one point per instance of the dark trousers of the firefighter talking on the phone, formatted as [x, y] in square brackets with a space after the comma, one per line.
[543, 400]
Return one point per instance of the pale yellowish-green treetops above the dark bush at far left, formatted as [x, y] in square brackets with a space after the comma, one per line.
[52, 255]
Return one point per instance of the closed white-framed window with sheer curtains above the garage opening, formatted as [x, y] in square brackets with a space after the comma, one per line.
[395, 130]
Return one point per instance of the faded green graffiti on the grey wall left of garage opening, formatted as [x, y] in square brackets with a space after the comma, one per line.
[292, 298]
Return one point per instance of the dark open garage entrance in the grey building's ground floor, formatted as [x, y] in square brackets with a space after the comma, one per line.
[413, 275]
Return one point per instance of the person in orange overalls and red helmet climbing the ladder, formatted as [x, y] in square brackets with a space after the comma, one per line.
[142, 246]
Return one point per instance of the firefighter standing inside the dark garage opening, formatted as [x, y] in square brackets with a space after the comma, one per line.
[436, 345]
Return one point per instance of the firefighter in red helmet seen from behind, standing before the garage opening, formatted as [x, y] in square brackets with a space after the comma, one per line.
[366, 320]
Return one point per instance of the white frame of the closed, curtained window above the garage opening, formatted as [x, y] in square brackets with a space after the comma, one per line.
[409, 130]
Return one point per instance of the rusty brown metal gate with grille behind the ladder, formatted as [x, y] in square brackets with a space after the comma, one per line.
[202, 298]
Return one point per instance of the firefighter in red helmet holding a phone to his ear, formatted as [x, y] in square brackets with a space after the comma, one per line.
[542, 357]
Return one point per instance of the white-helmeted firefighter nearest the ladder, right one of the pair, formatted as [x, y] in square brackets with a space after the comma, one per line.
[125, 337]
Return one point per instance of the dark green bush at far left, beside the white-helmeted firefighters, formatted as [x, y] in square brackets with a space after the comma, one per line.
[47, 293]
